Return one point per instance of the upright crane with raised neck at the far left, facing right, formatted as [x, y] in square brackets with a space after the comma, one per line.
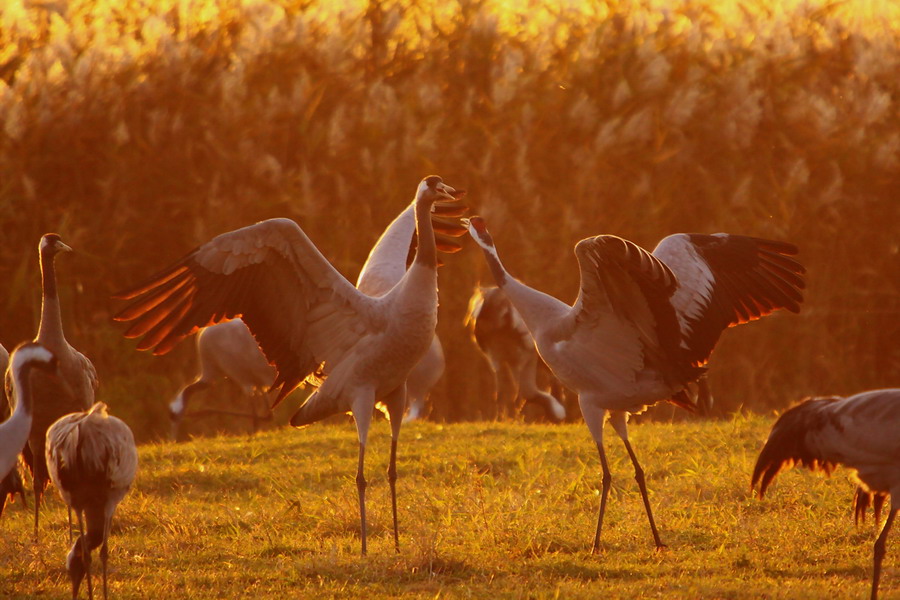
[54, 395]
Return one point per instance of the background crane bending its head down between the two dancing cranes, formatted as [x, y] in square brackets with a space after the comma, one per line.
[505, 342]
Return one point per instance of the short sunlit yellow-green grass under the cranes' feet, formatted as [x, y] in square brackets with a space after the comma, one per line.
[486, 511]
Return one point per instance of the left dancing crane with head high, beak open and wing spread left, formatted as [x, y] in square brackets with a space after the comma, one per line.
[309, 320]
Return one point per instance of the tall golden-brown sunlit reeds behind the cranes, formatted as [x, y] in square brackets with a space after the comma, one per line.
[139, 129]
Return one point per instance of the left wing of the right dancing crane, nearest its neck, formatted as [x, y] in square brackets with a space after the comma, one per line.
[624, 304]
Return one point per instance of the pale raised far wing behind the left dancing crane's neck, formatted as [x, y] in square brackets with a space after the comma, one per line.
[394, 251]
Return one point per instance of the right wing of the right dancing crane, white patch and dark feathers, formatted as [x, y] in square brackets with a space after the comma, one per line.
[725, 280]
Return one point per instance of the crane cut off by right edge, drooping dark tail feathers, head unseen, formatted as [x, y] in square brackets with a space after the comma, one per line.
[861, 432]
